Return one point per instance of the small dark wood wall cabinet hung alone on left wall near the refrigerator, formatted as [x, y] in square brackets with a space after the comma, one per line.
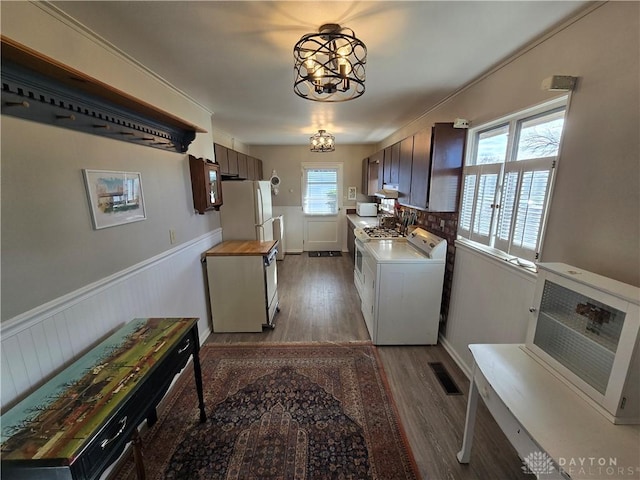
[205, 184]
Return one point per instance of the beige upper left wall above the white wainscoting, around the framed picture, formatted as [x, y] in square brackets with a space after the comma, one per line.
[49, 247]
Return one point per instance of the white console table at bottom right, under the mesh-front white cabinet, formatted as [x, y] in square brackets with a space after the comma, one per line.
[542, 416]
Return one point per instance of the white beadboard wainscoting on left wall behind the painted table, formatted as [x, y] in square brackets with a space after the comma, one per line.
[39, 343]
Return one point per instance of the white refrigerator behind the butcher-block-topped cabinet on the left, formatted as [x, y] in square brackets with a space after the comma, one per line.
[246, 212]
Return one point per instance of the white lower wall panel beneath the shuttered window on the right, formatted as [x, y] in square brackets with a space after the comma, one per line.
[490, 302]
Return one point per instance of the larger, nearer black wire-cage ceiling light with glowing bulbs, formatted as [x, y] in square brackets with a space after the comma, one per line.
[329, 65]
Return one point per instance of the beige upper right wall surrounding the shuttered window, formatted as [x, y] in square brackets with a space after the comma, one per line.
[594, 221]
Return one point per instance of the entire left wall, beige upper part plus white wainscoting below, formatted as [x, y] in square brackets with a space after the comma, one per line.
[65, 285]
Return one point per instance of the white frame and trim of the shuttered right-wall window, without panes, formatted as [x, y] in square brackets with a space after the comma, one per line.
[514, 121]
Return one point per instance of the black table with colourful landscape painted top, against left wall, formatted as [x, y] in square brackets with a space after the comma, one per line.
[79, 422]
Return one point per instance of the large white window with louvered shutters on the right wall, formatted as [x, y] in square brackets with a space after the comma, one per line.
[507, 180]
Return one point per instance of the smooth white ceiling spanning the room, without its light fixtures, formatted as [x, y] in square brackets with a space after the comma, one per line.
[235, 58]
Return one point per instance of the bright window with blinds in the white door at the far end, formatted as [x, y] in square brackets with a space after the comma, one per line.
[320, 191]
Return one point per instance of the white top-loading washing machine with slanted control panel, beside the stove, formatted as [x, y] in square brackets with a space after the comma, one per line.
[402, 289]
